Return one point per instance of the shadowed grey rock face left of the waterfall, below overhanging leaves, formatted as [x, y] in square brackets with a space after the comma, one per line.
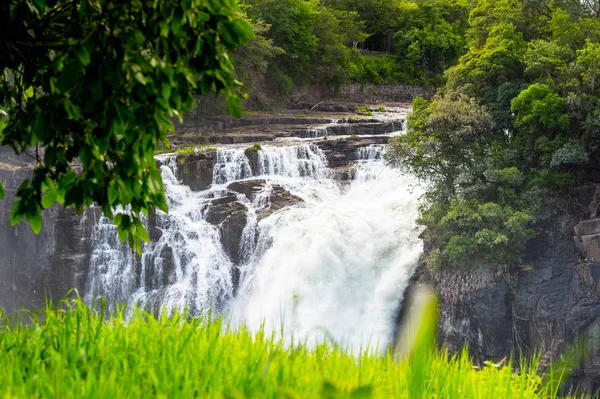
[36, 267]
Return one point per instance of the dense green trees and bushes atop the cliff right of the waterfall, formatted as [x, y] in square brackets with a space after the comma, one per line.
[518, 118]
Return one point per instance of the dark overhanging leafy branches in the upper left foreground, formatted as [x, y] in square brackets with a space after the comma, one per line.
[87, 87]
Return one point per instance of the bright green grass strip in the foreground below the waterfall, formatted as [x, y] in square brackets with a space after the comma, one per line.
[74, 353]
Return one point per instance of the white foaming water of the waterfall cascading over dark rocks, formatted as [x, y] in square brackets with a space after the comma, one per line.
[334, 267]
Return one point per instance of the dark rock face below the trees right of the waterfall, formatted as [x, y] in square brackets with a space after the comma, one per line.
[547, 306]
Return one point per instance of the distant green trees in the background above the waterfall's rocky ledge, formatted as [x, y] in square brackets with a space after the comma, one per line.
[366, 41]
